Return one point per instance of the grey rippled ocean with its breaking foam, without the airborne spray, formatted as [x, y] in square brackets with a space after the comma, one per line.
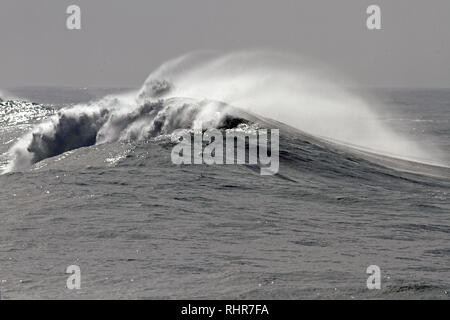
[141, 227]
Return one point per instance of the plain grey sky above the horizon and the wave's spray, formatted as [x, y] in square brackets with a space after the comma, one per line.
[121, 42]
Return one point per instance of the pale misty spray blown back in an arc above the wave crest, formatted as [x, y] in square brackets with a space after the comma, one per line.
[290, 90]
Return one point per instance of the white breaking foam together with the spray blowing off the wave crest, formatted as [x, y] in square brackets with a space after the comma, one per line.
[186, 93]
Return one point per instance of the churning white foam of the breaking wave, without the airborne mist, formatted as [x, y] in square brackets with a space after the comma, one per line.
[115, 119]
